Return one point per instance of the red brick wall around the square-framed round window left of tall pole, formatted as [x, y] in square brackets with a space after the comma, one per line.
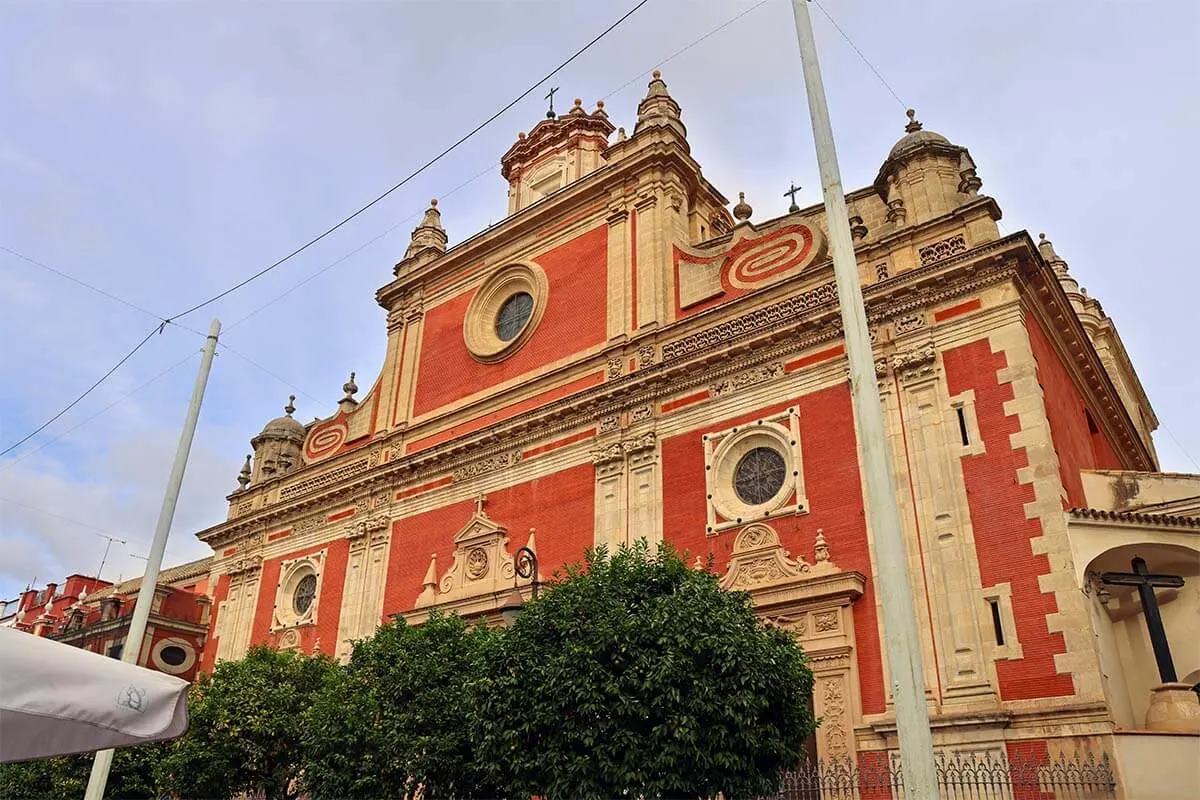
[836, 502]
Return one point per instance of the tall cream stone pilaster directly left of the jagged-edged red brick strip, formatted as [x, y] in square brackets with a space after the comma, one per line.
[946, 533]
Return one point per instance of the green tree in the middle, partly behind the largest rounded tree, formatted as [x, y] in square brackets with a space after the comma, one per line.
[399, 715]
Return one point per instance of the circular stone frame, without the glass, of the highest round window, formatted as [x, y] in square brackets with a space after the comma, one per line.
[479, 323]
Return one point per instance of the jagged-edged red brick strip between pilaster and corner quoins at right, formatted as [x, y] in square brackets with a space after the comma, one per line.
[1003, 532]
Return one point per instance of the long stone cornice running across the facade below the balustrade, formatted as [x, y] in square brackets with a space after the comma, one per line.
[753, 346]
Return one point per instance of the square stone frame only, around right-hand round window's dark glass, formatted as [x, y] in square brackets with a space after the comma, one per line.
[723, 453]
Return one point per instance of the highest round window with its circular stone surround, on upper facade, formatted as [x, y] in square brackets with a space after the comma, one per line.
[505, 312]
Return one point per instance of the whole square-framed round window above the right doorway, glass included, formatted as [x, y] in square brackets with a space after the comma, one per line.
[753, 472]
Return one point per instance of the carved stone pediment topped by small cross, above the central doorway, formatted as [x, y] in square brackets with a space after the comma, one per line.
[482, 567]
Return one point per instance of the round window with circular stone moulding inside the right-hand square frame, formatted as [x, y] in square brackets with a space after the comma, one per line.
[753, 473]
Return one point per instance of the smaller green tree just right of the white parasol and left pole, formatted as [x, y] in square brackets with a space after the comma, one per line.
[247, 727]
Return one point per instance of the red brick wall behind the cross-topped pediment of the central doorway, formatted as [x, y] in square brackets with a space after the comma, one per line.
[561, 507]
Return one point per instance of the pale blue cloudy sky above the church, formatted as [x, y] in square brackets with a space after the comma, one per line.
[165, 152]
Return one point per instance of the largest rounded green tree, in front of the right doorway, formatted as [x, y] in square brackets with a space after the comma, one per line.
[638, 676]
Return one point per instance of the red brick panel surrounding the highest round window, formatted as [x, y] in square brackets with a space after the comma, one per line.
[575, 318]
